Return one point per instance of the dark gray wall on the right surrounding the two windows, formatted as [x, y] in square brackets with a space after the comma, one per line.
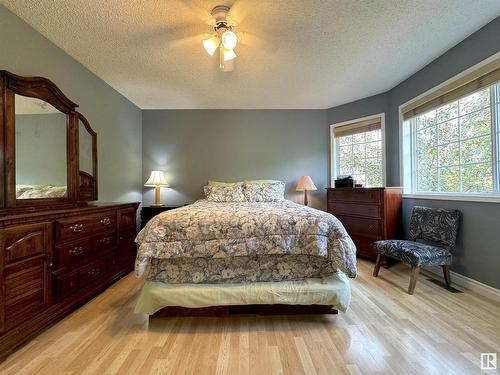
[478, 249]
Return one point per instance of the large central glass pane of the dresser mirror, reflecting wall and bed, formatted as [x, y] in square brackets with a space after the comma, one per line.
[41, 159]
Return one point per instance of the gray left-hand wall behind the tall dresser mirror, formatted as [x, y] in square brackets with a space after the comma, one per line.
[115, 119]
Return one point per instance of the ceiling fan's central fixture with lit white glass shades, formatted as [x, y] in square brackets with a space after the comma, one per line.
[224, 37]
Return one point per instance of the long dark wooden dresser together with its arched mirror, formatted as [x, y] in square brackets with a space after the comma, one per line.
[58, 248]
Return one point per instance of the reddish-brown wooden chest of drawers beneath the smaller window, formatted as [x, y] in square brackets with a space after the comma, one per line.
[368, 214]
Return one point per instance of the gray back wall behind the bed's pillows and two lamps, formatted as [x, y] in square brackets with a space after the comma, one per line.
[193, 146]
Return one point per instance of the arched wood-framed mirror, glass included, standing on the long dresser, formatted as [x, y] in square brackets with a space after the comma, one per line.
[48, 149]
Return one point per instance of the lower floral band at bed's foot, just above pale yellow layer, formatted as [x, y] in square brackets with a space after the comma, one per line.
[239, 269]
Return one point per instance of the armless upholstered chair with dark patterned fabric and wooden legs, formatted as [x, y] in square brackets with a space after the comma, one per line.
[436, 229]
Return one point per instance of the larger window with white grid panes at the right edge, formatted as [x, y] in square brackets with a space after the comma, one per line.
[453, 148]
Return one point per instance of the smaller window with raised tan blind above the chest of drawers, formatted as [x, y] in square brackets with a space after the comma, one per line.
[357, 147]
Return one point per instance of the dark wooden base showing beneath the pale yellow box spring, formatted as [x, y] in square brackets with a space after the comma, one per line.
[171, 311]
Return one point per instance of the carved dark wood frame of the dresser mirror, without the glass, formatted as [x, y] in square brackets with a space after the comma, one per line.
[78, 188]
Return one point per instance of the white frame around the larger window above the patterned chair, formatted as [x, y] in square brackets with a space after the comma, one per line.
[406, 152]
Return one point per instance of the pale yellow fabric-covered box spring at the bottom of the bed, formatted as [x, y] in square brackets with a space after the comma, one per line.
[333, 290]
